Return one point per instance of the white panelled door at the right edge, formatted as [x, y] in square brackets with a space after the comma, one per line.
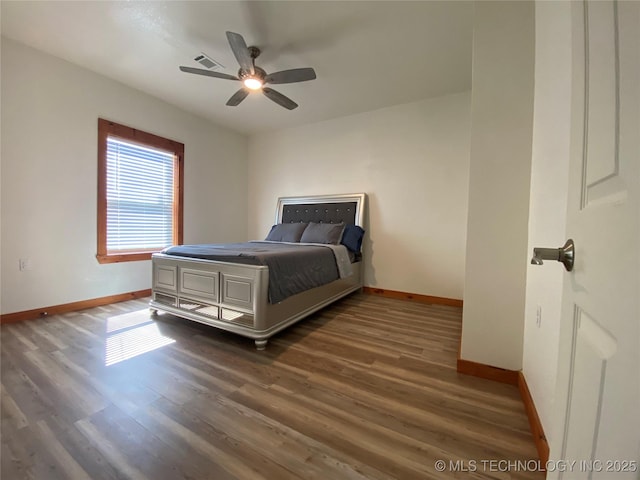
[597, 399]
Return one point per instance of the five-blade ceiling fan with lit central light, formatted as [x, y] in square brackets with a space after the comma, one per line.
[254, 78]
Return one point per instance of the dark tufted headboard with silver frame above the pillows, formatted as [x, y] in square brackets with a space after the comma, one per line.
[347, 208]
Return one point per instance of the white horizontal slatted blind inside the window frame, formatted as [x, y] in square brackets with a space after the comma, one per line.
[139, 197]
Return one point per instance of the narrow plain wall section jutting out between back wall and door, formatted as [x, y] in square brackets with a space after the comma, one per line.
[501, 130]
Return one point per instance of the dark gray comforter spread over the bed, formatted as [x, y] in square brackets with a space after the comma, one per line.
[293, 268]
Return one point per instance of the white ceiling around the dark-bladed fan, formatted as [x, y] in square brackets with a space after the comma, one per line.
[367, 54]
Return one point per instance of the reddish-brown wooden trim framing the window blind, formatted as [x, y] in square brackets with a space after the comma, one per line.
[107, 128]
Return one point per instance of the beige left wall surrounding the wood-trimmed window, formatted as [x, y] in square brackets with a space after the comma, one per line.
[49, 178]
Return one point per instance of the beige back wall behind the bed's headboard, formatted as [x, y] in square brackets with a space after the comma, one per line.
[411, 159]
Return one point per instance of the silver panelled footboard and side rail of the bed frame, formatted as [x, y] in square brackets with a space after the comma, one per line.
[235, 297]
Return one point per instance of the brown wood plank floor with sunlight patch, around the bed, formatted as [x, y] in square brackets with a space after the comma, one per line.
[364, 389]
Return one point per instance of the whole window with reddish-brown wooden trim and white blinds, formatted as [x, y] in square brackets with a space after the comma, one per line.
[140, 182]
